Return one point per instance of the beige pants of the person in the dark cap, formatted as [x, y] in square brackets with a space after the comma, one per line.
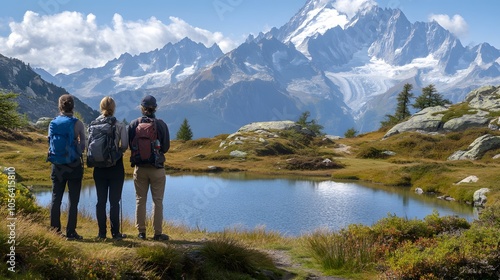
[144, 177]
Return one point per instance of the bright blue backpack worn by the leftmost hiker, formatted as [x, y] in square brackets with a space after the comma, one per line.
[62, 144]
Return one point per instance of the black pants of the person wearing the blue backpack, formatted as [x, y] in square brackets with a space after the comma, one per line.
[70, 174]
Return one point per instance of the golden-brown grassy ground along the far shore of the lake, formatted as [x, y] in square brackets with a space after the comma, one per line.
[419, 160]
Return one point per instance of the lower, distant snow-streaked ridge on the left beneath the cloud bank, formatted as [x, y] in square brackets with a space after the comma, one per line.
[156, 68]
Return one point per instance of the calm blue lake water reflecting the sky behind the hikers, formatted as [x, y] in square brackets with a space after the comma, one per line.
[289, 206]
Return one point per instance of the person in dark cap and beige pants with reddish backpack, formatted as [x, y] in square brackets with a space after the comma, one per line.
[149, 140]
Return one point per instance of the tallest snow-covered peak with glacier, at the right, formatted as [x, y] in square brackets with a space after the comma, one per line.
[373, 54]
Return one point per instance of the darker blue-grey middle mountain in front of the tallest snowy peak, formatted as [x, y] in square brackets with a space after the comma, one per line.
[258, 81]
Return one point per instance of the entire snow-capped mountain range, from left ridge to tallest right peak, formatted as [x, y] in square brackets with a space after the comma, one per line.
[345, 69]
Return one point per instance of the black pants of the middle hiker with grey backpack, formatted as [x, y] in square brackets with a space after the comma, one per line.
[109, 184]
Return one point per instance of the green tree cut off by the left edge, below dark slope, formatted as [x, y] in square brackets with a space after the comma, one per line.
[9, 117]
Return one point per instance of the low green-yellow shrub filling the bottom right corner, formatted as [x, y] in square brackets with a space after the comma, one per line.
[472, 255]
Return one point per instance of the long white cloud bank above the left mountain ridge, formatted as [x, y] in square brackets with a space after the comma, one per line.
[69, 41]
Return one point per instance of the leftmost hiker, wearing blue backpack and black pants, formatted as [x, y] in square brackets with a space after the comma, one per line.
[66, 145]
